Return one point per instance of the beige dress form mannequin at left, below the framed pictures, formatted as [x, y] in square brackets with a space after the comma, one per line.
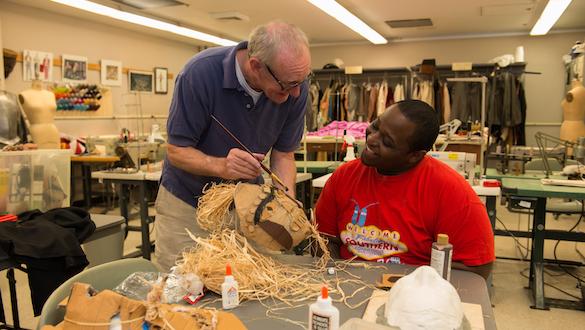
[39, 106]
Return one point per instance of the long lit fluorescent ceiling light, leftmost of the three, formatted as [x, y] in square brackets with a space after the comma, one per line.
[144, 21]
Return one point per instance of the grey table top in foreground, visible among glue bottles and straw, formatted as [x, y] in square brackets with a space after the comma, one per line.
[470, 286]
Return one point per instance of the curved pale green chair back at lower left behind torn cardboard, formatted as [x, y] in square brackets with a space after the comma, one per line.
[101, 277]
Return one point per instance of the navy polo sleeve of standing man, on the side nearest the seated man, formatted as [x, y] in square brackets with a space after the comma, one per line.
[292, 131]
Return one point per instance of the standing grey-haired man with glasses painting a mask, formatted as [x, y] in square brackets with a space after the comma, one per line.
[258, 90]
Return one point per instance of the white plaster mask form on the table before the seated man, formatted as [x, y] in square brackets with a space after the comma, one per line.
[424, 300]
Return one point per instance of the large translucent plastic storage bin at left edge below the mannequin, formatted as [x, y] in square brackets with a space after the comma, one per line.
[34, 179]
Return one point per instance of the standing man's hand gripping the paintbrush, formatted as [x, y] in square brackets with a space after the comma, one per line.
[241, 165]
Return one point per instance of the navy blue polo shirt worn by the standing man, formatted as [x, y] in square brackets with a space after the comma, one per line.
[208, 85]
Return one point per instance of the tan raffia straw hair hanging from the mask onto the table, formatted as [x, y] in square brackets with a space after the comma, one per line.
[259, 276]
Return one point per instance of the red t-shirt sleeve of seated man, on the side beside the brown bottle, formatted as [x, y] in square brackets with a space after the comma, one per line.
[464, 218]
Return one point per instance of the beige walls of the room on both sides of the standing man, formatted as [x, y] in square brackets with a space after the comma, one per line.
[30, 28]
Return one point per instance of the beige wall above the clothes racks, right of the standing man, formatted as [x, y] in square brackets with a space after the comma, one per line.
[544, 92]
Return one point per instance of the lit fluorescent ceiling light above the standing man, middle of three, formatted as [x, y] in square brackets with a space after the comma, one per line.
[341, 14]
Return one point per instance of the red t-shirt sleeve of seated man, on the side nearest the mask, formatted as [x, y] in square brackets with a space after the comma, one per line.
[327, 208]
